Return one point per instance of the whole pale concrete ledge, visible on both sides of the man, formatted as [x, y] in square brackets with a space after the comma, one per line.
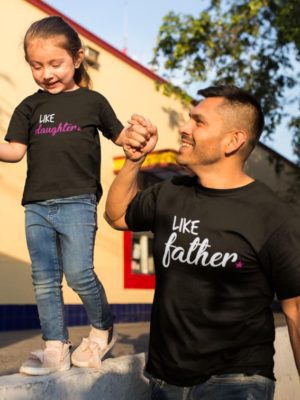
[122, 379]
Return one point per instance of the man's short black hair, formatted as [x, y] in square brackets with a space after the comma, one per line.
[237, 96]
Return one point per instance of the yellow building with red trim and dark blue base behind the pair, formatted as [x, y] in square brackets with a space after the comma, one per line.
[123, 261]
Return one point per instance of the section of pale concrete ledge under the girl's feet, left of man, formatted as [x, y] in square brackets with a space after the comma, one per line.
[120, 379]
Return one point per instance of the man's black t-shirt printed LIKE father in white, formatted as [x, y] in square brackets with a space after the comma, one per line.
[220, 256]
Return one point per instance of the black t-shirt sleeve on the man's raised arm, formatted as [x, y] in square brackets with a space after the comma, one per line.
[140, 215]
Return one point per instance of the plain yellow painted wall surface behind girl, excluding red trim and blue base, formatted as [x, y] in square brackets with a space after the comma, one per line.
[129, 91]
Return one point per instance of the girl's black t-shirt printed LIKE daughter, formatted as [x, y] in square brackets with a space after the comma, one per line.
[61, 132]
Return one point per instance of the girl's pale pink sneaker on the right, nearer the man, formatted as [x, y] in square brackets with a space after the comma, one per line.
[93, 348]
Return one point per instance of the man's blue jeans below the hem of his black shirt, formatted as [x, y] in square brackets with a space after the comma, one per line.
[217, 387]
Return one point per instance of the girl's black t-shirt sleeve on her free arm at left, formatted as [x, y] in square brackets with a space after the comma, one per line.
[19, 126]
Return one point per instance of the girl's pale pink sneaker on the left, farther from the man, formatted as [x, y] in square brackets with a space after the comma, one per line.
[55, 357]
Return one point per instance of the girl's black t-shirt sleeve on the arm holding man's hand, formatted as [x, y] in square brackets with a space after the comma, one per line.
[109, 124]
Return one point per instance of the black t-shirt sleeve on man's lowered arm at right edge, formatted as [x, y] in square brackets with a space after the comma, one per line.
[281, 255]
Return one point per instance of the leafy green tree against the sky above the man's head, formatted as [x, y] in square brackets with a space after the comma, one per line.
[254, 44]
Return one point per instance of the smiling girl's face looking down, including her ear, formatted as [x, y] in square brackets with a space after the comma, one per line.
[51, 65]
